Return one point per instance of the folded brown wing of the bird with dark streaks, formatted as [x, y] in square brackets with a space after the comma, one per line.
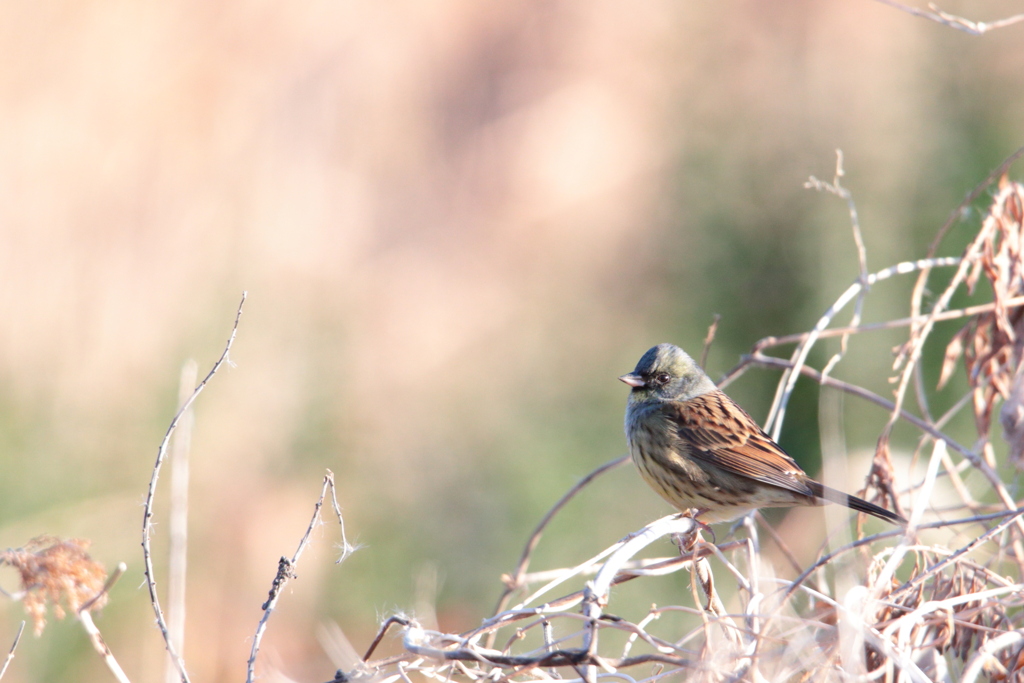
[715, 431]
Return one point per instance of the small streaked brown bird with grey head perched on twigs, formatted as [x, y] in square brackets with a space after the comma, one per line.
[700, 451]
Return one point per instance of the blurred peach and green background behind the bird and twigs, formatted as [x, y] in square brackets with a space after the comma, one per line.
[458, 224]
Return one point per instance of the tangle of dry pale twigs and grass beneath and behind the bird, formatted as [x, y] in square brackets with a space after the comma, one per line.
[941, 601]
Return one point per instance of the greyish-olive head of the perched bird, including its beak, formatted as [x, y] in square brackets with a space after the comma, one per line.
[667, 373]
